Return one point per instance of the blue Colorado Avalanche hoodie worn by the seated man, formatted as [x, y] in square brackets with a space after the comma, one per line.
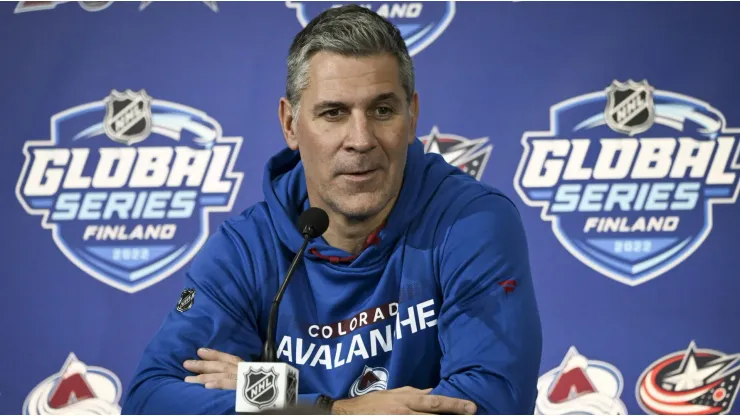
[441, 297]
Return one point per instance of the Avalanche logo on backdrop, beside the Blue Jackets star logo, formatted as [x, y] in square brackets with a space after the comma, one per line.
[580, 386]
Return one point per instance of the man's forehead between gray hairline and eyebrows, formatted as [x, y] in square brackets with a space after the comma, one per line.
[343, 78]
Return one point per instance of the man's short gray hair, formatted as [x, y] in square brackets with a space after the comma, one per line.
[349, 30]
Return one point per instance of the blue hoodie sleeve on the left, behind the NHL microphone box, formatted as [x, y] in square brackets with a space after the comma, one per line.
[223, 316]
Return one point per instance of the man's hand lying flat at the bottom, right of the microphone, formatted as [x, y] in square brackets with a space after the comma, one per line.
[402, 401]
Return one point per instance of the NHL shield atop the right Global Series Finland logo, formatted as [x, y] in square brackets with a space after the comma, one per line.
[630, 109]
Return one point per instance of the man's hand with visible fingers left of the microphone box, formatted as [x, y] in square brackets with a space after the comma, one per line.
[216, 370]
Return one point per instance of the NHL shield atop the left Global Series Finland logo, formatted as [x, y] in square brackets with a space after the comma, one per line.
[128, 116]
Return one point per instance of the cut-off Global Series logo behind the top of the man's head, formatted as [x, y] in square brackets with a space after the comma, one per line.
[420, 23]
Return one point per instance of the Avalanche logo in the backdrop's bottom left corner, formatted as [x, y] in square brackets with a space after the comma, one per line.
[77, 389]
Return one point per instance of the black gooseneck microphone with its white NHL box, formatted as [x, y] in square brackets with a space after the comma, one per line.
[272, 384]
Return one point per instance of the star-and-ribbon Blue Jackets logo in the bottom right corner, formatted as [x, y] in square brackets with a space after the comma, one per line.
[690, 382]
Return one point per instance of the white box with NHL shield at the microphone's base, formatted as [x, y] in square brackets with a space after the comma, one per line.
[265, 385]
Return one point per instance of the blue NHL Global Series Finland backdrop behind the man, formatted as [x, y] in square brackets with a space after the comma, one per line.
[131, 130]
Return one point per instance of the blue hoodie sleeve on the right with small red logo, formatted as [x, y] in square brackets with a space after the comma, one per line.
[489, 324]
